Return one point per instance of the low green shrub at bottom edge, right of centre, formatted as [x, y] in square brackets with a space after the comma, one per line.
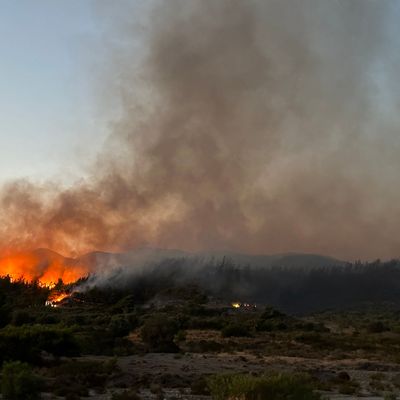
[271, 387]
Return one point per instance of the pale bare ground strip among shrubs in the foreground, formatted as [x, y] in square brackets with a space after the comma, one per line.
[174, 372]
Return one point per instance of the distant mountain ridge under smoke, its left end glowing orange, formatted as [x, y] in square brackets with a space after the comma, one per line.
[49, 265]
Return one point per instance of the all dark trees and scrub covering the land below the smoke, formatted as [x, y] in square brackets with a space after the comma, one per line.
[55, 349]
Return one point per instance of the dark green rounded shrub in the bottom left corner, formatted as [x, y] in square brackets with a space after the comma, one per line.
[18, 382]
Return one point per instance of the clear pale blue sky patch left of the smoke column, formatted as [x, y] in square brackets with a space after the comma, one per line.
[46, 104]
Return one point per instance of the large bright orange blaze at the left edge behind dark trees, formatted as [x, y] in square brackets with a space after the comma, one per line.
[43, 265]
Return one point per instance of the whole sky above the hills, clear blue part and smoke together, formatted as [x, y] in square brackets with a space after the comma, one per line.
[253, 126]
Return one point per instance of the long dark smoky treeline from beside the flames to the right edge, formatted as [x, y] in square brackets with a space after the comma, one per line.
[294, 290]
